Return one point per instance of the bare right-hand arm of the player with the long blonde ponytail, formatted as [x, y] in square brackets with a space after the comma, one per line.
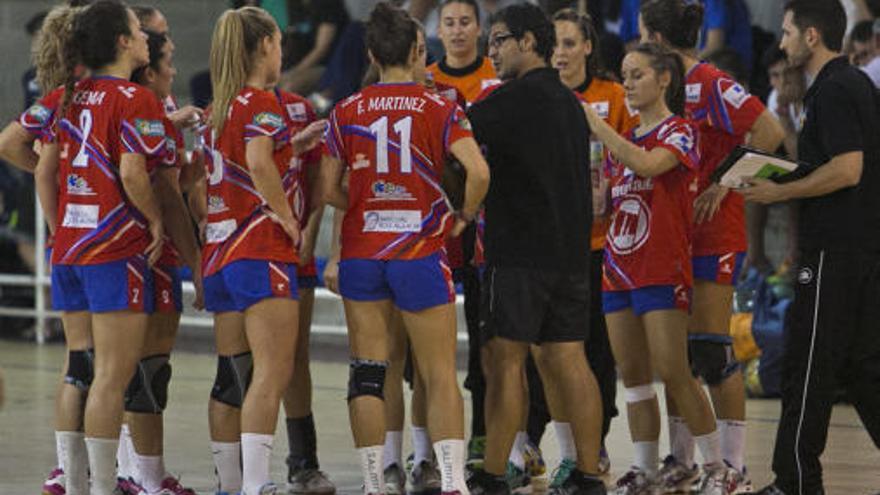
[258, 153]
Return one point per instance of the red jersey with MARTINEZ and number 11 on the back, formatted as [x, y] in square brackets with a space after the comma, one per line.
[394, 139]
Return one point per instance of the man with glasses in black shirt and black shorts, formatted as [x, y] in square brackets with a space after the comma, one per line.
[538, 213]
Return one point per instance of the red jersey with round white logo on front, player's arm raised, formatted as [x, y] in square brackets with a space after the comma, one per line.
[649, 238]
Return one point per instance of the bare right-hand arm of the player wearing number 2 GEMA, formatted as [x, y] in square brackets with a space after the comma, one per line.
[136, 183]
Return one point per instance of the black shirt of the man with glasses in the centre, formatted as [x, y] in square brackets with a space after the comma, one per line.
[538, 209]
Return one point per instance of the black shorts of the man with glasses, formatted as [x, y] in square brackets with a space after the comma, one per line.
[534, 306]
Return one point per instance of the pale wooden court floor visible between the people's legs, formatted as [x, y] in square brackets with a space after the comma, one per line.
[27, 453]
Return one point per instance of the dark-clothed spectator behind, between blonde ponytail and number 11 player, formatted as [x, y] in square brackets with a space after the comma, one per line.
[313, 29]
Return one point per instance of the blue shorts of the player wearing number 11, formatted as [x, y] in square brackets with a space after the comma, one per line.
[413, 285]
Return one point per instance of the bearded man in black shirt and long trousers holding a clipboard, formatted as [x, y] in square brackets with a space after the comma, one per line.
[833, 326]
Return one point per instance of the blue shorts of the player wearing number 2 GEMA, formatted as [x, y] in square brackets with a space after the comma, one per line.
[122, 285]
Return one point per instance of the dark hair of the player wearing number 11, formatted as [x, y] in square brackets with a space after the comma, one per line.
[390, 35]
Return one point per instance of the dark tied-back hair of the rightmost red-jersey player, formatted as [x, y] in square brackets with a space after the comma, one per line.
[677, 21]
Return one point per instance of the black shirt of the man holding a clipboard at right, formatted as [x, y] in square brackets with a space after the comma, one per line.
[842, 115]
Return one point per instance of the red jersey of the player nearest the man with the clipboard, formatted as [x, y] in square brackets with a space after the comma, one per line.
[724, 112]
